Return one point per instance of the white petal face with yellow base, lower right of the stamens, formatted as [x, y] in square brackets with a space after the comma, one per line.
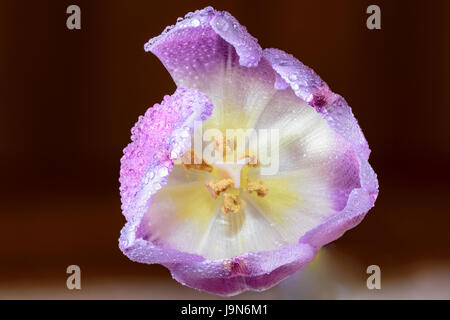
[306, 200]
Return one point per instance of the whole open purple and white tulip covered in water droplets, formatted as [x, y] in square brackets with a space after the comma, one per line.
[224, 226]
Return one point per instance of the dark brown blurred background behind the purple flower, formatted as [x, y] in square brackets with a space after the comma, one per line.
[68, 99]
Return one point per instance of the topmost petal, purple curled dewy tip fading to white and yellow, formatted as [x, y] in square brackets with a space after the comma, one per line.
[209, 50]
